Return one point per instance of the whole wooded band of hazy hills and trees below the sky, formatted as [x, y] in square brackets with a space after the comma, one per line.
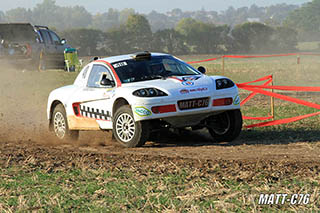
[245, 30]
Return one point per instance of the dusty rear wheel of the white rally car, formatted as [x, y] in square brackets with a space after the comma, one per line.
[60, 125]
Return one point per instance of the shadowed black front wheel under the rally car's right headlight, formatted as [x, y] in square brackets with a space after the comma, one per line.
[226, 126]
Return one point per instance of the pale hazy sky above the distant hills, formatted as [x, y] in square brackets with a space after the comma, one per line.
[146, 6]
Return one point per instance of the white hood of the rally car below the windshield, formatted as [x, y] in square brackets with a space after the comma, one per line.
[177, 85]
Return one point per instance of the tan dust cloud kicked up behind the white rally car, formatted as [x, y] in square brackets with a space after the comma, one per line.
[23, 103]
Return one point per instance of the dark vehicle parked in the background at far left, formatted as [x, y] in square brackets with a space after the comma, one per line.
[36, 46]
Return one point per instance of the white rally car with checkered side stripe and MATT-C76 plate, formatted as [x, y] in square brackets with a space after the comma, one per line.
[137, 94]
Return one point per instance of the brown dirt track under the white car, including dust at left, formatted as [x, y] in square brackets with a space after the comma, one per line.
[24, 133]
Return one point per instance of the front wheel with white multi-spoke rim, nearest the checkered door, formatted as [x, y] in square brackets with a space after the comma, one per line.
[128, 132]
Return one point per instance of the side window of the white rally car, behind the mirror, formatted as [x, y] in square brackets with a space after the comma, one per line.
[97, 73]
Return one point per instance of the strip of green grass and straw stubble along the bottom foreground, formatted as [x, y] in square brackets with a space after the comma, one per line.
[81, 190]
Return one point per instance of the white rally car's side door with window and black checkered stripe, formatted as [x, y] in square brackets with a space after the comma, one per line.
[98, 98]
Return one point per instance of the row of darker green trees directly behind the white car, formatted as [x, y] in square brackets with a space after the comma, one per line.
[188, 37]
